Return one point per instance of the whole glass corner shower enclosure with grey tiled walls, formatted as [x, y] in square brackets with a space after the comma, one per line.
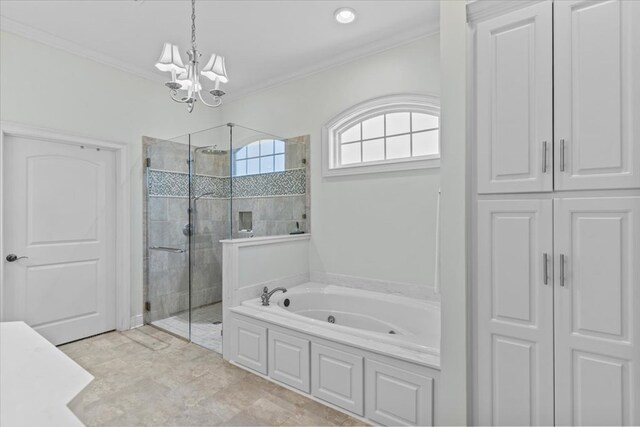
[222, 183]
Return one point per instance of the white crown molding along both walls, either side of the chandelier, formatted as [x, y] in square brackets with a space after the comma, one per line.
[374, 47]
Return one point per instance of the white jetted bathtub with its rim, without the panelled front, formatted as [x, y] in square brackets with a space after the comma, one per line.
[379, 319]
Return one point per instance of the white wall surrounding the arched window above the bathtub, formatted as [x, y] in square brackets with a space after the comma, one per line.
[378, 226]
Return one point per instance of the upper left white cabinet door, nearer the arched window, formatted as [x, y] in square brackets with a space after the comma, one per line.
[514, 101]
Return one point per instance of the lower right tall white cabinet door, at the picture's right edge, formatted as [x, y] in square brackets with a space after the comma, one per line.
[597, 311]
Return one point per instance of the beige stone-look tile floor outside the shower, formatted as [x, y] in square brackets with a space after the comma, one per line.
[148, 377]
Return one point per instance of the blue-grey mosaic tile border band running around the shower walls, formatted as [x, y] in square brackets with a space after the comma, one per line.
[176, 184]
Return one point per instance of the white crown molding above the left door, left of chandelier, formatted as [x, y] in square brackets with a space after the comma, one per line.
[22, 30]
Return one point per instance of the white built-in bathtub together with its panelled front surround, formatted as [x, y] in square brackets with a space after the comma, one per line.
[350, 365]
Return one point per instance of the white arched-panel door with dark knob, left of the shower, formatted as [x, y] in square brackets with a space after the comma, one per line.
[59, 212]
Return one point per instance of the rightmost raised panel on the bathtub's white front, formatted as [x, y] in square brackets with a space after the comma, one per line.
[398, 397]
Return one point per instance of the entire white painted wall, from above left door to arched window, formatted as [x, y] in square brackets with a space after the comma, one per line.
[374, 226]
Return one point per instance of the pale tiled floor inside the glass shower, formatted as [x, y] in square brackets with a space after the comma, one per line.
[206, 326]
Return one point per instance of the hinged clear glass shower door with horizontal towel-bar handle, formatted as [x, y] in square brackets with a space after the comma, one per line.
[167, 237]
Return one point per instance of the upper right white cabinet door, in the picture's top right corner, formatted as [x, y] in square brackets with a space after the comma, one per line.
[597, 96]
